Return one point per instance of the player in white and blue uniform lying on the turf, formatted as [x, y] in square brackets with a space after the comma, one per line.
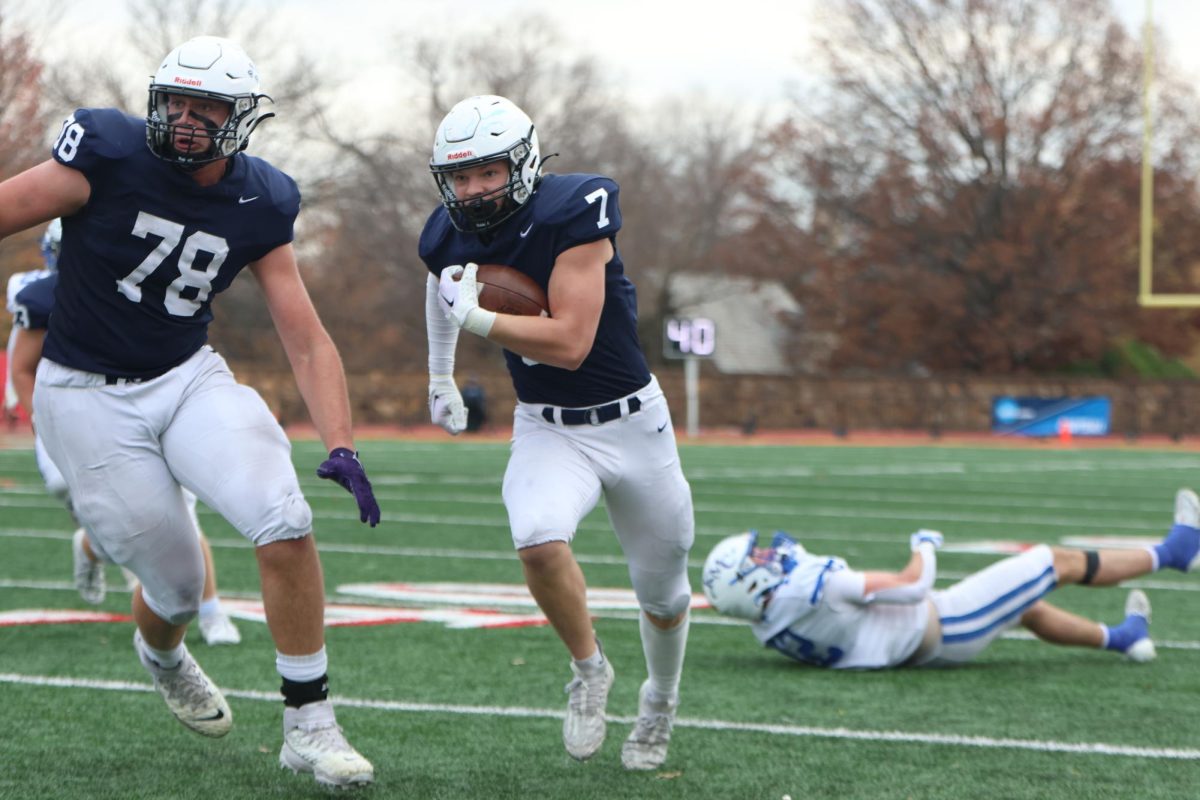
[820, 612]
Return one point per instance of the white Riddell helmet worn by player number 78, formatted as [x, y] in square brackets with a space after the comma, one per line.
[214, 68]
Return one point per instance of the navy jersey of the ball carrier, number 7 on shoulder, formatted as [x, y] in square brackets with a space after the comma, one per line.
[565, 213]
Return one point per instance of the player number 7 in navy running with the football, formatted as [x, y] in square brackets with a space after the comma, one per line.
[591, 418]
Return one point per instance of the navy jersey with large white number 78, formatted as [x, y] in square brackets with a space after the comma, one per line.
[143, 260]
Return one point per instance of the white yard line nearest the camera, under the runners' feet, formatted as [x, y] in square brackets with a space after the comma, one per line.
[901, 737]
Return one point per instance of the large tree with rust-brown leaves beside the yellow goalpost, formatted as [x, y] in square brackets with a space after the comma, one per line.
[968, 183]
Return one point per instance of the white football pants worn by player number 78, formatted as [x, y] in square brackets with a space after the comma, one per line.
[128, 450]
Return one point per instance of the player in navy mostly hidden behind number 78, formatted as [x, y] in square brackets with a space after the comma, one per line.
[31, 303]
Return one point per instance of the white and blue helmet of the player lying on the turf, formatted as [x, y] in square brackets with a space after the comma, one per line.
[740, 576]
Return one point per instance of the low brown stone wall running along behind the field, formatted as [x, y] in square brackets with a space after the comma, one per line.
[765, 404]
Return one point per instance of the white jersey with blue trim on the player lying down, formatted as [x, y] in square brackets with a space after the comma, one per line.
[818, 617]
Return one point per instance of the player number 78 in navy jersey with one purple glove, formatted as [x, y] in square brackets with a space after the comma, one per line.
[159, 215]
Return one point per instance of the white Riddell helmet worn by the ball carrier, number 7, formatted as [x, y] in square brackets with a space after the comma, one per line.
[478, 131]
